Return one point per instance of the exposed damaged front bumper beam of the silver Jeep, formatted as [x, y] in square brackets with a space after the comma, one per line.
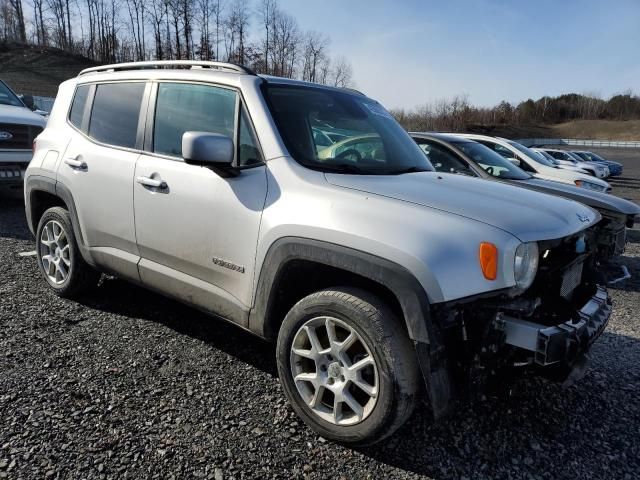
[565, 342]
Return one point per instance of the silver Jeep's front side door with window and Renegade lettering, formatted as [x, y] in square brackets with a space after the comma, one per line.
[197, 234]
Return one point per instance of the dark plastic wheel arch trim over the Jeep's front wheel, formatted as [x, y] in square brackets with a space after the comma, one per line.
[336, 265]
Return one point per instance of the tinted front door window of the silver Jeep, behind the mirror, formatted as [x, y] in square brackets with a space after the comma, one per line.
[184, 107]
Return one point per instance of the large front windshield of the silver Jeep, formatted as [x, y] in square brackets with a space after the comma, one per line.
[342, 132]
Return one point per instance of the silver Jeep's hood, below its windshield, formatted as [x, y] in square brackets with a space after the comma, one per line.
[526, 214]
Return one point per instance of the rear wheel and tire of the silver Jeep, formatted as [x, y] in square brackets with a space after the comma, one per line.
[59, 258]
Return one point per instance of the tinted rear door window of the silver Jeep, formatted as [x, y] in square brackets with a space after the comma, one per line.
[115, 112]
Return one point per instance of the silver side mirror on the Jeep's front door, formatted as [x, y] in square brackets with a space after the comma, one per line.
[211, 150]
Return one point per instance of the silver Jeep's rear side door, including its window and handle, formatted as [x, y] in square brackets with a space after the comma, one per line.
[98, 168]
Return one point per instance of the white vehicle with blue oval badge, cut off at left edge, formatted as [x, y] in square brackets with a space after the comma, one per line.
[19, 127]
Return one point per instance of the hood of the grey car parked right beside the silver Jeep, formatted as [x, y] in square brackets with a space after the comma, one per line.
[597, 200]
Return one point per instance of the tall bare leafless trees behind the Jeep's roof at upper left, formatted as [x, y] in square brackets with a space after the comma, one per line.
[258, 34]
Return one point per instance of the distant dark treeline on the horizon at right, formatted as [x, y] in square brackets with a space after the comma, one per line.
[457, 114]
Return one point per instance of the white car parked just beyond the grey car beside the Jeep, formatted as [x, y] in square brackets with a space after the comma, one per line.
[537, 164]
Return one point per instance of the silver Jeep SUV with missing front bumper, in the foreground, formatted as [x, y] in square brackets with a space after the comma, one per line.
[306, 214]
